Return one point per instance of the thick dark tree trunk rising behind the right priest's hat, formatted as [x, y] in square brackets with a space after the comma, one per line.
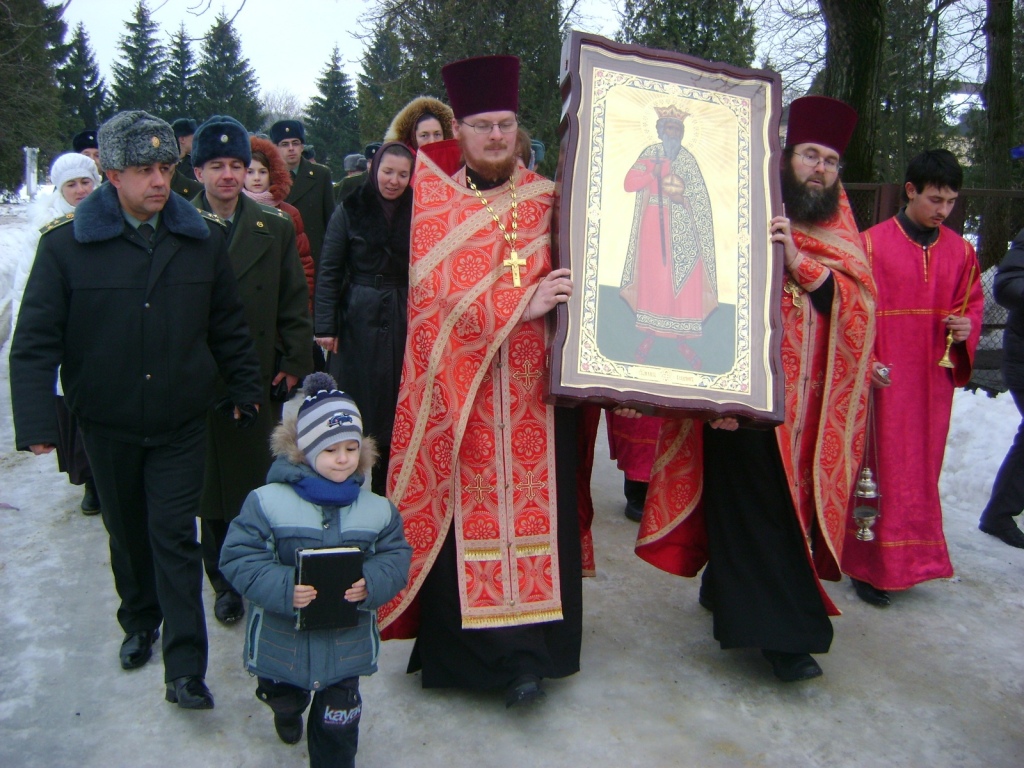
[856, 30]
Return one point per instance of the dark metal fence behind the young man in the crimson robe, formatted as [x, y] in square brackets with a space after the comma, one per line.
[875, 203]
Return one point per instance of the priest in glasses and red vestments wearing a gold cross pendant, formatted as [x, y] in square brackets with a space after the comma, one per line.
[495, 595]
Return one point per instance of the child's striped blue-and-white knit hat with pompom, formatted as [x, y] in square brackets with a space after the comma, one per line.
[326, 417]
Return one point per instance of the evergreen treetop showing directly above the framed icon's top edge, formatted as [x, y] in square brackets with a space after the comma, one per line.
[715, 30]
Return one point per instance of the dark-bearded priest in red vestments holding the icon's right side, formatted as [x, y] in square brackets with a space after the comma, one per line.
[766, 509]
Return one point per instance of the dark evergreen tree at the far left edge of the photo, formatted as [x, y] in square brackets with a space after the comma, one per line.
[31, 49]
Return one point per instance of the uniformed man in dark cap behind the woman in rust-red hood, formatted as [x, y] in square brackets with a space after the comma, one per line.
[313, 192]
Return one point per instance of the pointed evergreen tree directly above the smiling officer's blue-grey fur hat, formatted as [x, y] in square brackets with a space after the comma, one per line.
[228, 84]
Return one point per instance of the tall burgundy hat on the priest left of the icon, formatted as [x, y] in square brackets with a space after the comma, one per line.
[483, 84]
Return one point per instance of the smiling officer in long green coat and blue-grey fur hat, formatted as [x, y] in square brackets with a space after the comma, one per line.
[273, 286]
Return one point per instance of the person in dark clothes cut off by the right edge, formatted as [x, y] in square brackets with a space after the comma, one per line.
[1008, 491]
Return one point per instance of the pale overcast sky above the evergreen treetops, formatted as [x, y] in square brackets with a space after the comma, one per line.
[288, 42]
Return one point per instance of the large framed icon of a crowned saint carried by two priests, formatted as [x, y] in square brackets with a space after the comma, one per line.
[668, 178]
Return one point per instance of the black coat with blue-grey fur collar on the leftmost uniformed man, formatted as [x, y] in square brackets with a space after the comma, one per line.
[140, 331]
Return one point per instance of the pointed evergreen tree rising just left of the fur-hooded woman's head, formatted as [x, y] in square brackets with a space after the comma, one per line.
[387, 84]
